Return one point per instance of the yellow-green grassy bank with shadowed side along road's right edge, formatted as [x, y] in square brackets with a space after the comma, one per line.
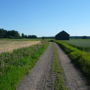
[80, 58]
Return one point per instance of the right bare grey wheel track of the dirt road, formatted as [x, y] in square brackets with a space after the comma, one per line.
[74, 79]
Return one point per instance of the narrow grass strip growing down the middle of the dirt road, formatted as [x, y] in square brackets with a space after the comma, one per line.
[59, 83]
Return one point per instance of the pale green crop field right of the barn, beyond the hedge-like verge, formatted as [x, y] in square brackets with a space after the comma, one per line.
[83, 44]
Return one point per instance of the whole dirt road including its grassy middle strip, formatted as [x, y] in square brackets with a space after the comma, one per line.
[53, 71]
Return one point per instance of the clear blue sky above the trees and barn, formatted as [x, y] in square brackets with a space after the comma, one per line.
[46, 17]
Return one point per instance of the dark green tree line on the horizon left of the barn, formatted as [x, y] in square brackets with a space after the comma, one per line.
[14, 34]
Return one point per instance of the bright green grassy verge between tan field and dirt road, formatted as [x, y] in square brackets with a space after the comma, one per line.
[13, 66]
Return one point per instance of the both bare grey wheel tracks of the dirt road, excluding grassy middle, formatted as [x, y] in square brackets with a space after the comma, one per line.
[40, 77]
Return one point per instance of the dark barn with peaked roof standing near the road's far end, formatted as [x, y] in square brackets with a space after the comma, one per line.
[62, 36]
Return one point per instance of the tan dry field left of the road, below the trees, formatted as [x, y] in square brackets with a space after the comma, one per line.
[10, 45]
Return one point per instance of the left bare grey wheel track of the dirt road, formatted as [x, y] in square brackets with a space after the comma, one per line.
[39, 77]
